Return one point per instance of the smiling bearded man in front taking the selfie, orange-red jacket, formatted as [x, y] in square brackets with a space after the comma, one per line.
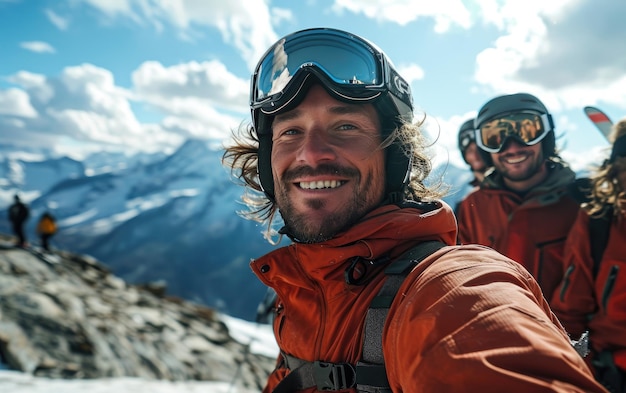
[333, 150]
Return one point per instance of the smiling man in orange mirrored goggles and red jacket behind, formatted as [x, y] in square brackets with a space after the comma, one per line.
[524, 207]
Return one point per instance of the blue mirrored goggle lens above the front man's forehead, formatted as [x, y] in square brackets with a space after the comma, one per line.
[345, 59]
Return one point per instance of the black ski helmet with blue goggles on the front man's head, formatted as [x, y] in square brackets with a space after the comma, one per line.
[390, 94]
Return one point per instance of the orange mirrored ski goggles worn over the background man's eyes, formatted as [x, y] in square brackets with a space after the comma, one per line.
[527, 128]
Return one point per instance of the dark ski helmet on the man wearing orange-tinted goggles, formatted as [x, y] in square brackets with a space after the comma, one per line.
[506, 104]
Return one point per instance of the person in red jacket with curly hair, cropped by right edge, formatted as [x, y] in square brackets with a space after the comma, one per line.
[592, 295]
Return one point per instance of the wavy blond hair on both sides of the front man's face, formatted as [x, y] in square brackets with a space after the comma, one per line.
[241, 157]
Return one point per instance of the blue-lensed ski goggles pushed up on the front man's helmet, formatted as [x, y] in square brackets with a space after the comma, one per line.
[350, 68]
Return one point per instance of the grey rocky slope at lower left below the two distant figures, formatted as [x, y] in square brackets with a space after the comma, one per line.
[66, 316]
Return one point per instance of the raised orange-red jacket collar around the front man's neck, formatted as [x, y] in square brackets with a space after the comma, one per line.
[386, 232]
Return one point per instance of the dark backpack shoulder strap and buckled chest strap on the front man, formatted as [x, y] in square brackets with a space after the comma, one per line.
[369, 374]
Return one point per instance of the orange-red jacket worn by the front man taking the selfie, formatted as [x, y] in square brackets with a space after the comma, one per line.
[466, 319]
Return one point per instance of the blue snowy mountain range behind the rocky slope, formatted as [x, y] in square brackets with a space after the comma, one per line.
[167, 218]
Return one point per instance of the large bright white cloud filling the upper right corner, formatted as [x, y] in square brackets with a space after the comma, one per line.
[569, 52]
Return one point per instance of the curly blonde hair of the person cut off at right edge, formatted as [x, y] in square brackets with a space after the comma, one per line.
[606, 192]
